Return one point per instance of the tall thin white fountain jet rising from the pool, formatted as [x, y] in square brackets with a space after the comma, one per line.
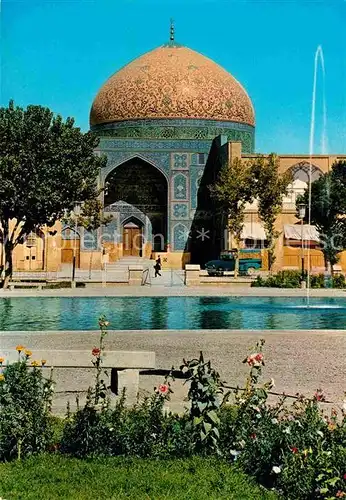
[318, 57]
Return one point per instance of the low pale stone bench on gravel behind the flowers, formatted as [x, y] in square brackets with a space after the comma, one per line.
[74, 373]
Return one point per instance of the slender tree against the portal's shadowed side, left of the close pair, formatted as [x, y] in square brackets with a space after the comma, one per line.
[234, 187]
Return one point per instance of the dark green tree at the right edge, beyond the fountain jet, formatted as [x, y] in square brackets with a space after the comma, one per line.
[328, 211]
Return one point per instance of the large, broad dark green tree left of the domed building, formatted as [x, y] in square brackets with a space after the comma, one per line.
[46, 165]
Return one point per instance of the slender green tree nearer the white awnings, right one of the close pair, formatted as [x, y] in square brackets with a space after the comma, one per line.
[270, 189]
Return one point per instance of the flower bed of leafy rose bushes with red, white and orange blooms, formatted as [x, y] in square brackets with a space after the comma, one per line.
[298, 450]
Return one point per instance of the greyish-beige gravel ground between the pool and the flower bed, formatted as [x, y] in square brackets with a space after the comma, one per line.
[299, 361]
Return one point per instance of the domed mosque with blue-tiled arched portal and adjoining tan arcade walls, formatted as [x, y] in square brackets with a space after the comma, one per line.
[164, 121]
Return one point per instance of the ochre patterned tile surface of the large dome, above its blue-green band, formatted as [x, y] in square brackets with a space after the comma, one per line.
[172, 82]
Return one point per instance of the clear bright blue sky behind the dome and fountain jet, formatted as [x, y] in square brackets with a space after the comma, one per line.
[58, 53]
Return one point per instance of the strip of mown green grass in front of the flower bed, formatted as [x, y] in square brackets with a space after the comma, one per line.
[54, 477]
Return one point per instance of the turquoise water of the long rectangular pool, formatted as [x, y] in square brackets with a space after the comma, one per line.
[140, 313]
